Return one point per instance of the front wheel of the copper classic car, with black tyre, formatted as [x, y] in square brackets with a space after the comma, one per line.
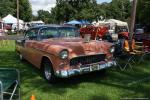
[48, 72]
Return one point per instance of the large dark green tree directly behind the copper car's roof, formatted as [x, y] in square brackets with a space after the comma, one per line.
[66, 10]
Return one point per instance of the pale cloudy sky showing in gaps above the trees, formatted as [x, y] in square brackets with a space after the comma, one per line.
[48, 4]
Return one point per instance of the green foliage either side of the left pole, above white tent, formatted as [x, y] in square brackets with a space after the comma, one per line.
[10, 7]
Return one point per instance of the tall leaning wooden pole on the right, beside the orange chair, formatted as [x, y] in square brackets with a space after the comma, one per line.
[132, 24]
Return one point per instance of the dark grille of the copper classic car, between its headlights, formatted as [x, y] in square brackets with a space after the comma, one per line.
[87, 59]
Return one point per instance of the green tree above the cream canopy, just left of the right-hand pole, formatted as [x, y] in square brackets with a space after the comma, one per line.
[117, 9]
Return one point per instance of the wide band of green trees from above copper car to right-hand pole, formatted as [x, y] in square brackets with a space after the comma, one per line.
[66, 10]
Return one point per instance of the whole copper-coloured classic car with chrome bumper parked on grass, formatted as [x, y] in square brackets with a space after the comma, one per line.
[59, 51]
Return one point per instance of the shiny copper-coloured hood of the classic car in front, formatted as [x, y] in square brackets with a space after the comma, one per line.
[75, 46]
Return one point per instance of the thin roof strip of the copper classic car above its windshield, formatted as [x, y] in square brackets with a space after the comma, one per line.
[51, 25]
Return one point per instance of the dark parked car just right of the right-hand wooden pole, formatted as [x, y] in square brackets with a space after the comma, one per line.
[138, 34]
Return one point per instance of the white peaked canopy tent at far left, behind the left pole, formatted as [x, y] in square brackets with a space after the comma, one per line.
[9, 19]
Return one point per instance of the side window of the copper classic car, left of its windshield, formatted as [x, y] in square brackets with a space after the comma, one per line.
[31, 34]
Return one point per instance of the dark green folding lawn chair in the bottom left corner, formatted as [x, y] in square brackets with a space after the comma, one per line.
[9, 84]
